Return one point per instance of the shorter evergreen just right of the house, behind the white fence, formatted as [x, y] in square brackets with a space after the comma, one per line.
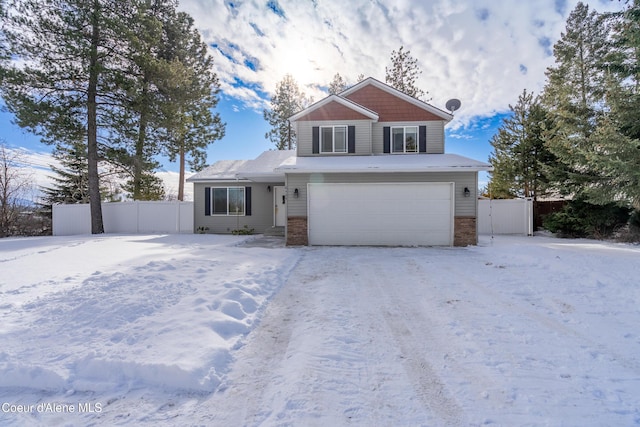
[520, 155]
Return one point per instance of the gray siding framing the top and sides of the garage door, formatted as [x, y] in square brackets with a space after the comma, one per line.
[464, 206]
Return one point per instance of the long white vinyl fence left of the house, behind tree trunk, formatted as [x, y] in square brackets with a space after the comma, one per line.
[126, 217]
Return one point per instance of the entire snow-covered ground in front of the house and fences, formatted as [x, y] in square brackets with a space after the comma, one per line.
[210, 330]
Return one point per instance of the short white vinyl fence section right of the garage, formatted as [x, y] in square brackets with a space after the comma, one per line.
[513, 216]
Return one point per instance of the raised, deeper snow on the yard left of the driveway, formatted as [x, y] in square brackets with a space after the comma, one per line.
[134, 311]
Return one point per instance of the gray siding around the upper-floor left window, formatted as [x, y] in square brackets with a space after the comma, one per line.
[363, 136]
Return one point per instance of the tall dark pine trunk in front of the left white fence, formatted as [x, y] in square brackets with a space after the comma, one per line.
[97, 226]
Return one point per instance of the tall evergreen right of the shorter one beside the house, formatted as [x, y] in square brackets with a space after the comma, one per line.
[575, 95]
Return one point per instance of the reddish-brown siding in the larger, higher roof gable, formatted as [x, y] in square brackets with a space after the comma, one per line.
[389, 107]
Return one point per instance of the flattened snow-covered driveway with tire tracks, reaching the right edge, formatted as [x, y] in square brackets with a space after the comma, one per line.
[523, 332]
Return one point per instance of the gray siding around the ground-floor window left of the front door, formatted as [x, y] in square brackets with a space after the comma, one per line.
[262, 207]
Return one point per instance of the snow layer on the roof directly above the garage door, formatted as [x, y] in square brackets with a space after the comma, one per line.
[384, 163]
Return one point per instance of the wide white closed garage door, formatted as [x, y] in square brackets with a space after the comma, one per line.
[381, 214]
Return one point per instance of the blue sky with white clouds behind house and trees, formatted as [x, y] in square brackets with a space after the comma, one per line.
[484, 52]
